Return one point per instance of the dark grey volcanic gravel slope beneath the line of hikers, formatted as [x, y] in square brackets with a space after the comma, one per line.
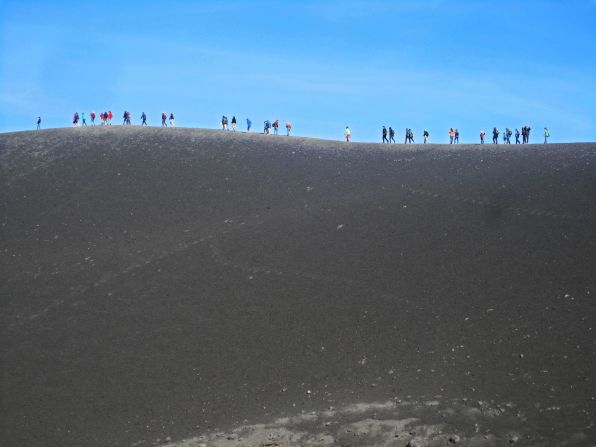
[191, 287]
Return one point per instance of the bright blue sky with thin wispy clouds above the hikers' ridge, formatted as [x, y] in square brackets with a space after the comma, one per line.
[434, 64]
